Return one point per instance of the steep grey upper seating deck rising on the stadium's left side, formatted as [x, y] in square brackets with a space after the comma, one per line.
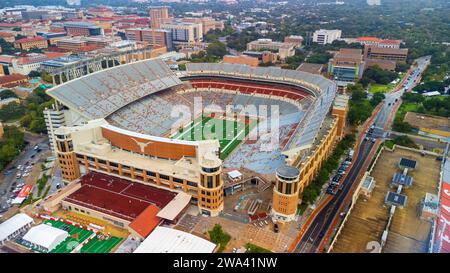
[101, 93]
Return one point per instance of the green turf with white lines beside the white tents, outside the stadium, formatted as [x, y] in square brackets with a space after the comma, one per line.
[79, 235]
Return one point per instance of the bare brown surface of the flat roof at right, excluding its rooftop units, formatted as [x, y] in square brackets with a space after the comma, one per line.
[368, 219]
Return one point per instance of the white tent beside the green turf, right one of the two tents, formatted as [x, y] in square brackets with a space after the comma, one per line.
[45, 237]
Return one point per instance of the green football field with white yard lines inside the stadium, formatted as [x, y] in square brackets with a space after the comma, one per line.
[230, 133]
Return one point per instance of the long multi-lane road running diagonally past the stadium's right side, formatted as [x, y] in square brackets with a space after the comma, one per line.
[322, 225]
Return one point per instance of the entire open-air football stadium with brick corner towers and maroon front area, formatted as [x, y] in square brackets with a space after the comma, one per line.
[187, 132]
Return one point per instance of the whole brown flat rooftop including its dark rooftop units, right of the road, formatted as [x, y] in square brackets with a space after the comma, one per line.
[398, 221]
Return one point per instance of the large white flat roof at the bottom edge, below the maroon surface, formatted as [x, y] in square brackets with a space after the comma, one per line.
[167, 240]
